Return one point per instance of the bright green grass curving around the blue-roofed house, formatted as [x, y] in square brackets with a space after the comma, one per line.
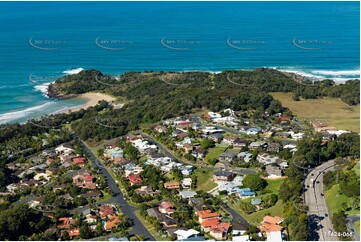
[272, 187]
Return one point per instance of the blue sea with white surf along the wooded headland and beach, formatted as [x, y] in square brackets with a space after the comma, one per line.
[41, 41]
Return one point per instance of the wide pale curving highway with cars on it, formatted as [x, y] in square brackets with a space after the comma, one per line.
[320, 224]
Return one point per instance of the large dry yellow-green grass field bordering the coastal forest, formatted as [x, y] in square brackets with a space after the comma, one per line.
[332, 110]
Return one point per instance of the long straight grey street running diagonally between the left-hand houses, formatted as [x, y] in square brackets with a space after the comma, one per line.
[127, 210]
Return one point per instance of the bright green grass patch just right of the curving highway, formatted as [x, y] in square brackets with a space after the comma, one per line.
[335, 200]
